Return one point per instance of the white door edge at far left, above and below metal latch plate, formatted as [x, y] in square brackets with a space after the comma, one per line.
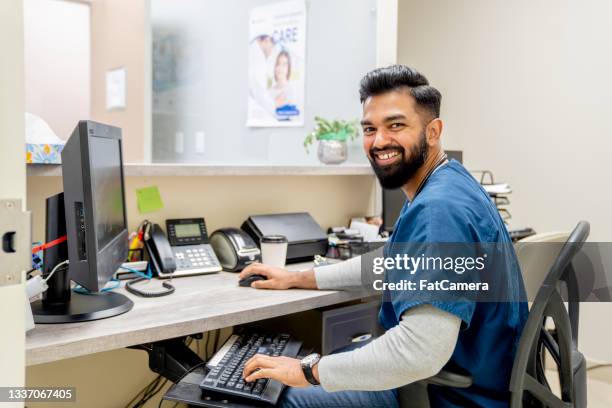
[12, 185]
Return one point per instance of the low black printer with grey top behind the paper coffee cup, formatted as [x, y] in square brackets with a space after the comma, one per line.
[305, 237]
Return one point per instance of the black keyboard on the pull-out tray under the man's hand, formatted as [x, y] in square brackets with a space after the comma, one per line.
[225, 367]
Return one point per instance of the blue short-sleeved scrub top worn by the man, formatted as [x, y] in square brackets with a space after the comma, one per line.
[453, 208]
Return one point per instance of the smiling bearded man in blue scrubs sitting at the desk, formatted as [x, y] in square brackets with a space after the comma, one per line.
[402, 132]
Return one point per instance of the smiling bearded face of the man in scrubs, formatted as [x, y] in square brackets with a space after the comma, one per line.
[393, 137]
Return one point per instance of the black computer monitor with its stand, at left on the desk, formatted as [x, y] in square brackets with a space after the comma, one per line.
[91, 212]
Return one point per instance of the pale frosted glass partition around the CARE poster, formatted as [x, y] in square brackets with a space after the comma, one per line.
[200, 84]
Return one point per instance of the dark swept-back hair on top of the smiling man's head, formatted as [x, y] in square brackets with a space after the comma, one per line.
[394, 77]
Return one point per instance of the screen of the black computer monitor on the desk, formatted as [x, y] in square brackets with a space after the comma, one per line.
[107, 189]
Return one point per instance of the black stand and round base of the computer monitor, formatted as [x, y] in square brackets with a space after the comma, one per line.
[59, 303]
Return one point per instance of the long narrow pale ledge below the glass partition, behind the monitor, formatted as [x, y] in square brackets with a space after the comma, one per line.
[168, 170]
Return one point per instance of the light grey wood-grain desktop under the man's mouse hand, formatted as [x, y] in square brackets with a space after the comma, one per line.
[200, 303]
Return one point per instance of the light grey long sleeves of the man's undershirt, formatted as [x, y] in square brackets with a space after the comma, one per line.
[417, 348]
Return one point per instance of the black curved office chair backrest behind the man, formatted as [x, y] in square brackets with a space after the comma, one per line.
[528, 385]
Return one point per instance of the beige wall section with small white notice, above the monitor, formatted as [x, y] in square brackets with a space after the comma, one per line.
[120, 31]
